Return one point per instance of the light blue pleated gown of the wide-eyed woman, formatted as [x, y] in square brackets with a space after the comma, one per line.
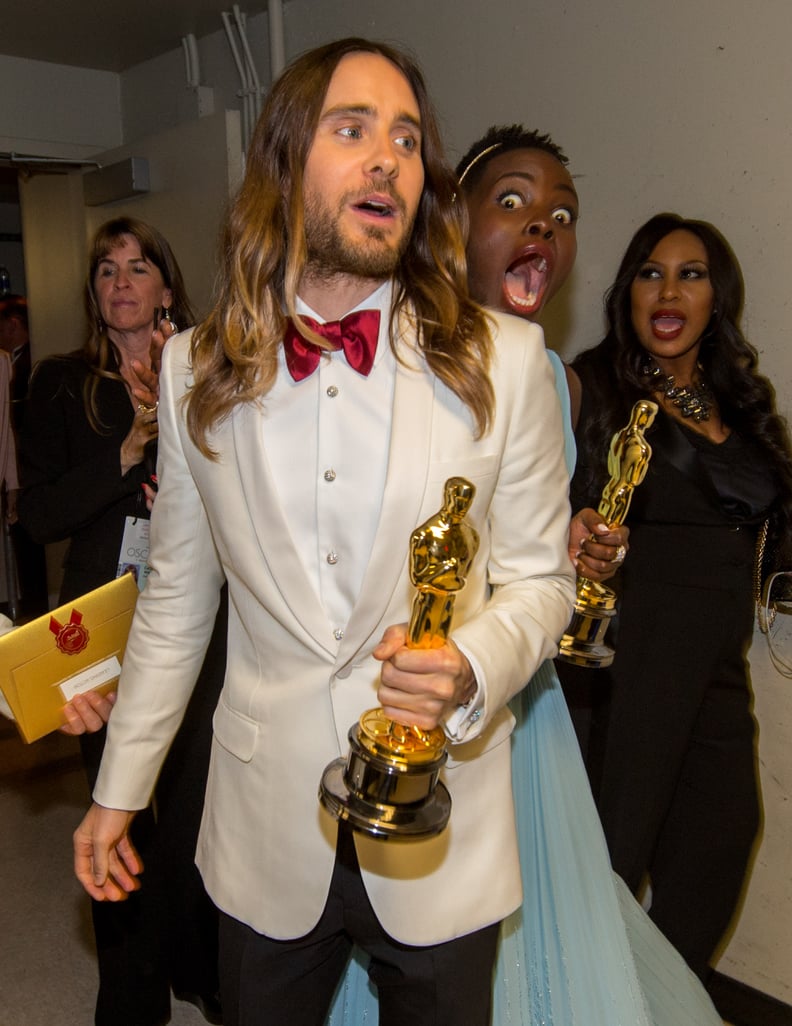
[580, 952]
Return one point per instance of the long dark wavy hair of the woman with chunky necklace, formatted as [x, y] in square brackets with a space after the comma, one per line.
[614, 370]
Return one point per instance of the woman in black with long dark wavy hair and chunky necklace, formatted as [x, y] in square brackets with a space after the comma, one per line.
[680, 796]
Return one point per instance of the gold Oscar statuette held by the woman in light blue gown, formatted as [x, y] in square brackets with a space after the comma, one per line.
[628, 461]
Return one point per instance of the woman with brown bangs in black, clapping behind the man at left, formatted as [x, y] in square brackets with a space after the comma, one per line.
[88, 449]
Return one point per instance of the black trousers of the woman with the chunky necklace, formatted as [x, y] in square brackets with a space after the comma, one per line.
[680, 797]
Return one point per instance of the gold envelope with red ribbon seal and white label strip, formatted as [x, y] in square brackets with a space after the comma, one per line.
[76, 648]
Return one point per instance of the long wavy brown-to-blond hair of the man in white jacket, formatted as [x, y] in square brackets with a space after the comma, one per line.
[264, 255]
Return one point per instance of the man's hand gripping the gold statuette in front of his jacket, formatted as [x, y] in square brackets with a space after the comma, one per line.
[422, 687]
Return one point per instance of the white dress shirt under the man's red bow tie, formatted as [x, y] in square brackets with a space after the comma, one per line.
[330, 469]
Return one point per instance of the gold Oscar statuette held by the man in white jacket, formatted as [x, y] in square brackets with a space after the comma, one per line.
[388, 786]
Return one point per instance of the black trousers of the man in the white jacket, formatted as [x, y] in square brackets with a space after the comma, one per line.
[270, 983]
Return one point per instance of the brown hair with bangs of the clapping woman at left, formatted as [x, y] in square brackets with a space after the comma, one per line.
[98, 351]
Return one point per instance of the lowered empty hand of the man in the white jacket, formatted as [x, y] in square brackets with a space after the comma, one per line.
[105, 860]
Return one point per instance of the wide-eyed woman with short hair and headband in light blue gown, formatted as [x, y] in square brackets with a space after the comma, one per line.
[581, 950]
